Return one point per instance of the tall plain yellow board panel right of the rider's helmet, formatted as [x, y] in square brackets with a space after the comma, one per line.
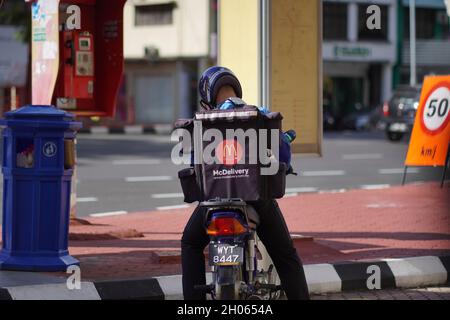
[296, 75]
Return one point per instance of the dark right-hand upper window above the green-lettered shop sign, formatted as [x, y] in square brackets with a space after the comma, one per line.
[365, 33]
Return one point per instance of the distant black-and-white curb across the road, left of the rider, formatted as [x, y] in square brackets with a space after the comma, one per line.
[128, 129]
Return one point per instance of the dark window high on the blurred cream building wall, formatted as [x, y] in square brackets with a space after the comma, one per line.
[155, 14]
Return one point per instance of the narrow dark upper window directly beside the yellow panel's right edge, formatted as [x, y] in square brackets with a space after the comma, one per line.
[334, 21]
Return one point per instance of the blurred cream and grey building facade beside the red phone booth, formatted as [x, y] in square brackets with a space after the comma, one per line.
[166, 45]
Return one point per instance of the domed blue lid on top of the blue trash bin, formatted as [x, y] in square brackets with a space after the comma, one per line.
[39, 111]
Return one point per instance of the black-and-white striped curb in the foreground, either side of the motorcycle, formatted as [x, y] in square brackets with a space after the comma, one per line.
[321, 279]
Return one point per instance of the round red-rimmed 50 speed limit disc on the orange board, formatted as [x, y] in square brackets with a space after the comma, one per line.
[436, 111]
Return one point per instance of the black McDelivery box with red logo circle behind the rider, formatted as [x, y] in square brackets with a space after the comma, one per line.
[230, 154]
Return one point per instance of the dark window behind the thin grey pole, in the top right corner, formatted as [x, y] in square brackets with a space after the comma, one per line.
[430, 24]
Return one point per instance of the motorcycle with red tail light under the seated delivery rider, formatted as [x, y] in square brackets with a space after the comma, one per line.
[234, 253]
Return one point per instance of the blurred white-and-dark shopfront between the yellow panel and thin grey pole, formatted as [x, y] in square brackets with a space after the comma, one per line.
[358, 61]
